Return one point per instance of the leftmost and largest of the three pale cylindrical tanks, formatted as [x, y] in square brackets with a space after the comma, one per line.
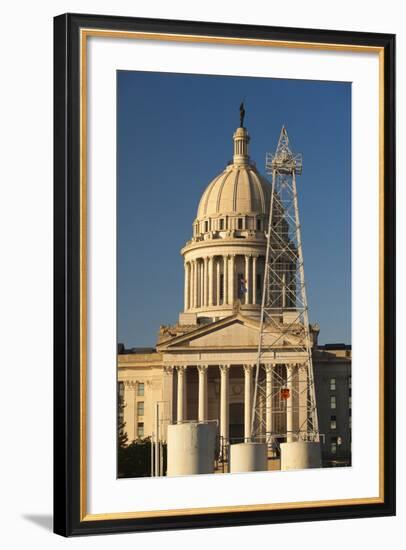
[191, 447]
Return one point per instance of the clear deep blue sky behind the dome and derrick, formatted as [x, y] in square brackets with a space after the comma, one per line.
[174, 134]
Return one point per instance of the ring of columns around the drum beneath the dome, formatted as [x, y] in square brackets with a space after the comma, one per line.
[212, 280]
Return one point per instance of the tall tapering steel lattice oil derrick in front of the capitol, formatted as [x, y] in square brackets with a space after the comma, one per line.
[284, 404]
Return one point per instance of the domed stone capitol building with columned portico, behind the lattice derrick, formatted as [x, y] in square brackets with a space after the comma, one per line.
[202, 367]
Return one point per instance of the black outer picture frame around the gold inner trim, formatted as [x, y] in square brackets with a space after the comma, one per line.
[68, 519]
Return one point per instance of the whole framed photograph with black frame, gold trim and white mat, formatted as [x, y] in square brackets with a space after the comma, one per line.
[224, 274]
